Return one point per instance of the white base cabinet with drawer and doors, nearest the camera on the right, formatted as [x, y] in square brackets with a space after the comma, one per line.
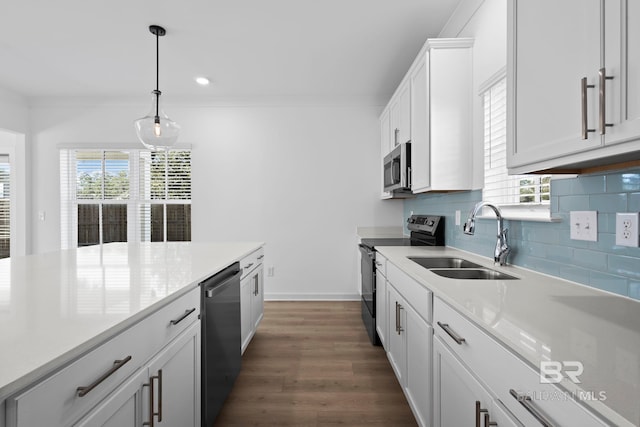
[504, 376]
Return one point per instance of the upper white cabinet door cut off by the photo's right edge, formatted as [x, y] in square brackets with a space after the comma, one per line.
[622, 63]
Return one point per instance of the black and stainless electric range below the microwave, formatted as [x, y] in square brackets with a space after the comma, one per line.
[426, 230]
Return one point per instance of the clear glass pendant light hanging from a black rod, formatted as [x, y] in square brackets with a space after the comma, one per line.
[156, 130]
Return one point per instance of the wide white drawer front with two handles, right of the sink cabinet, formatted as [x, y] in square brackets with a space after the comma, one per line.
[503, 371]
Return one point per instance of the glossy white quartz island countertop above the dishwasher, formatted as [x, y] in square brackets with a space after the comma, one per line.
[57, 306]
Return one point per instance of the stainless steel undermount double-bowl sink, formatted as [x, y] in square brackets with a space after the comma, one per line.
[459, 268]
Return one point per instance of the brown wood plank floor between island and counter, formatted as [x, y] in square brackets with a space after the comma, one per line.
[311, 364]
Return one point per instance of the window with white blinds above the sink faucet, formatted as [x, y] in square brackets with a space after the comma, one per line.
[517, 195]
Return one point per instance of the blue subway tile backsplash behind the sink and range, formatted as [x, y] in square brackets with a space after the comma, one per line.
[545, 246]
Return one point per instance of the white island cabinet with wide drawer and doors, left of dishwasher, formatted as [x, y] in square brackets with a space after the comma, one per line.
[151, 365]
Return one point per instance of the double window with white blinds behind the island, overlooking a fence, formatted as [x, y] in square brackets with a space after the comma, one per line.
[124, 195]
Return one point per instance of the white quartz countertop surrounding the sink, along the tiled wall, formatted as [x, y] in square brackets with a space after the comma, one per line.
[540, 317]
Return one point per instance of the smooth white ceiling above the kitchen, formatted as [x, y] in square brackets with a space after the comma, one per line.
[246, 47]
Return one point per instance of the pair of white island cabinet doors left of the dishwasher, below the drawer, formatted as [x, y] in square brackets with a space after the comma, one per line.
[166, 391]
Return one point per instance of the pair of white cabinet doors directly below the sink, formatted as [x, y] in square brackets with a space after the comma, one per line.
[409, 351]
